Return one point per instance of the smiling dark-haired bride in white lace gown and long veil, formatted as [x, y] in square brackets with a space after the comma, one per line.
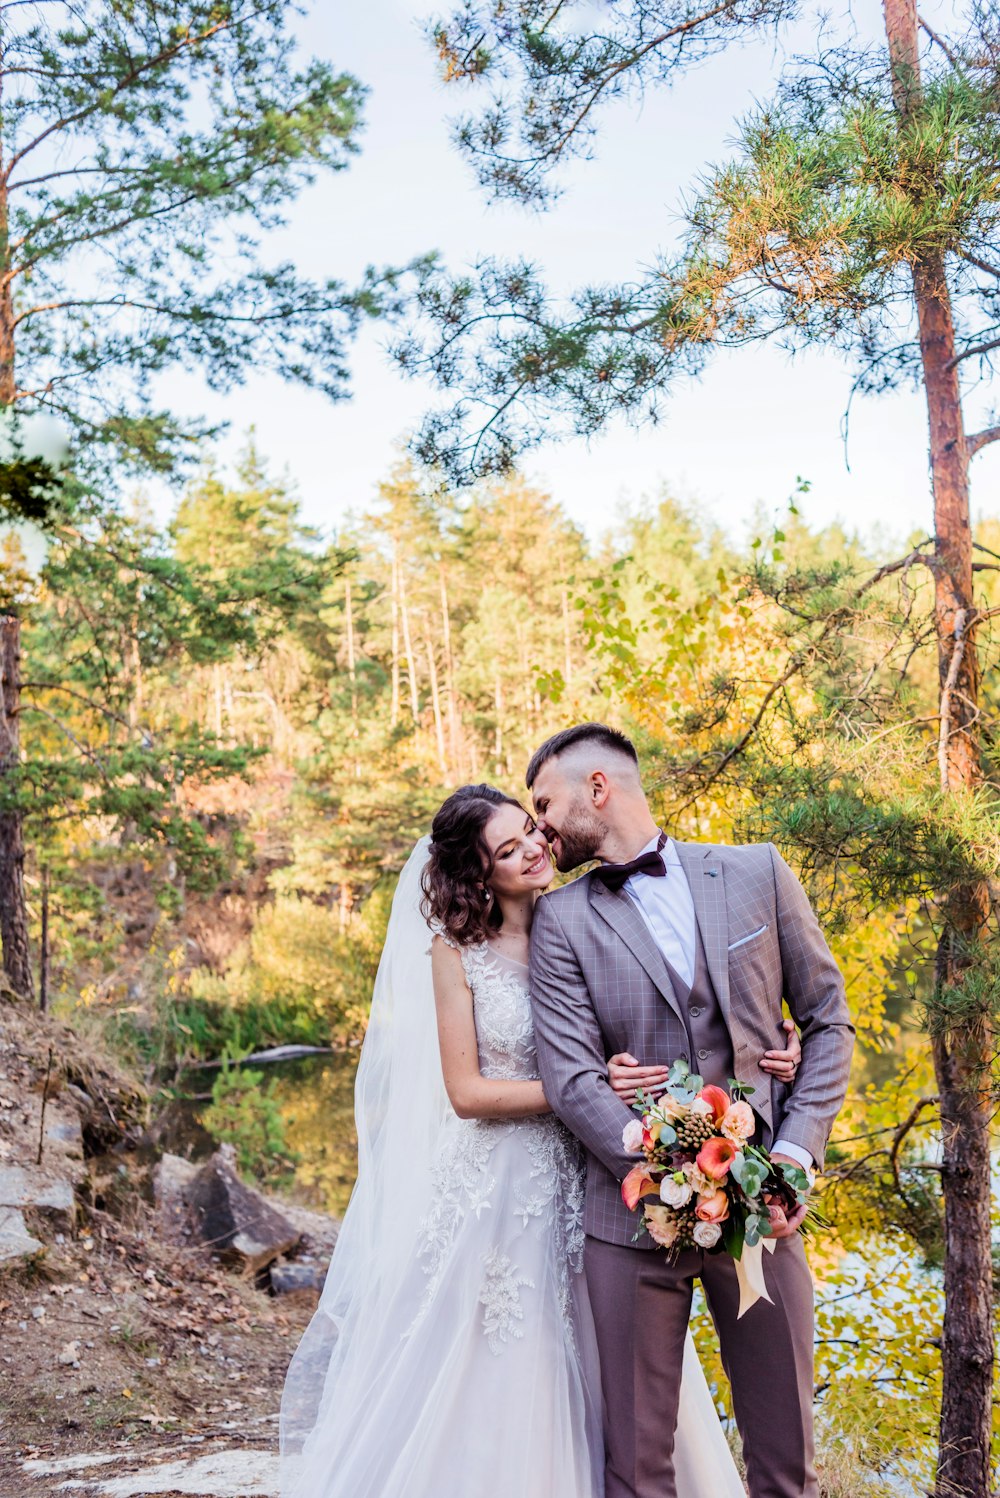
[453, 1352]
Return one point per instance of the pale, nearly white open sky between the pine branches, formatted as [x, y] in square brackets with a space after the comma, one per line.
[736, 440]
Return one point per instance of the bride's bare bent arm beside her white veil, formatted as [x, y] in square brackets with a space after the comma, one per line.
[471, 1094]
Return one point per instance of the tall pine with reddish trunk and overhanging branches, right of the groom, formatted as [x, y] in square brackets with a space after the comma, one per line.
[860, 213]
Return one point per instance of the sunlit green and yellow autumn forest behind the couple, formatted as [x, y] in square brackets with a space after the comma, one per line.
[234, 732]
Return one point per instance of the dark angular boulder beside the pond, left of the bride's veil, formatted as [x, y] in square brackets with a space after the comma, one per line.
[236, 1220]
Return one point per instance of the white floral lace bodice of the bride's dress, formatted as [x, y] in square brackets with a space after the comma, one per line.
[502, 1010]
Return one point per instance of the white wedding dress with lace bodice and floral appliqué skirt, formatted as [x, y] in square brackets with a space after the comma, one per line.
[463, 1359]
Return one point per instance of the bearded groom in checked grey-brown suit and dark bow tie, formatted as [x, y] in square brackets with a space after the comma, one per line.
[671, 950]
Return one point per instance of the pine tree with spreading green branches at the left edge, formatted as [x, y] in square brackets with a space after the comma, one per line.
[144, 152]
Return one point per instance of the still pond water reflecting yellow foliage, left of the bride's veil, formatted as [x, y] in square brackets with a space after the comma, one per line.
[317, 1097]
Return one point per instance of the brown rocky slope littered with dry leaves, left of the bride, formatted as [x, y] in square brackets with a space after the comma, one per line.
[143, 1344]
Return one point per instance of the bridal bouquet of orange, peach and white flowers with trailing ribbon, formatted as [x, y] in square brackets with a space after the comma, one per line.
[710, 1187]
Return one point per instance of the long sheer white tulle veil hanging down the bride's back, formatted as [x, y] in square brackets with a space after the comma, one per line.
[400, 1106]
